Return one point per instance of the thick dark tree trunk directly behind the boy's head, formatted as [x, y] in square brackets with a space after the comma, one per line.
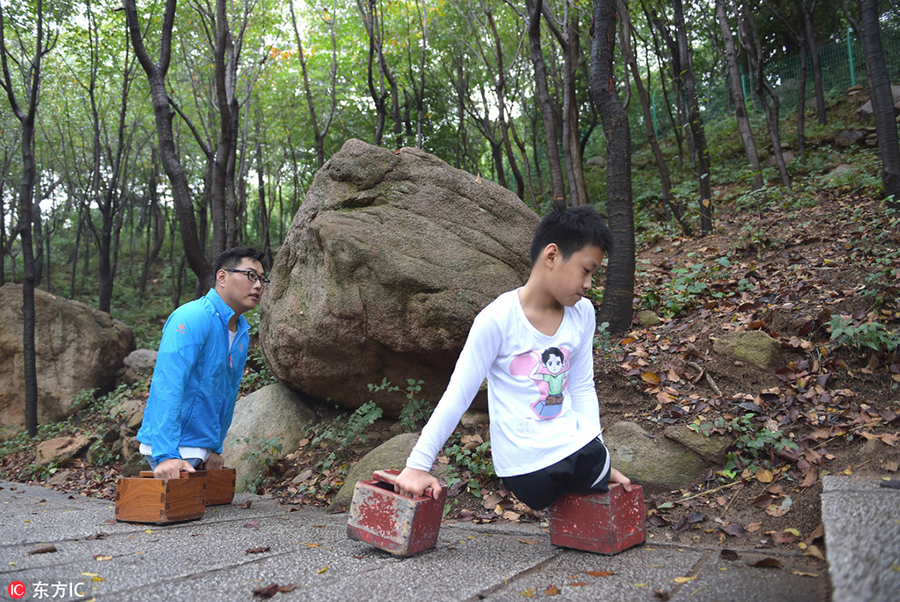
[618, 296]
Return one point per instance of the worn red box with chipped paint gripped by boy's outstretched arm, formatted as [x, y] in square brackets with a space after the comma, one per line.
[394, 523]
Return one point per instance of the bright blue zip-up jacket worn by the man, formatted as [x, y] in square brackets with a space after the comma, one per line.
[196, 379]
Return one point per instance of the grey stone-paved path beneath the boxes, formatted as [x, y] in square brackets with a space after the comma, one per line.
[209, 559]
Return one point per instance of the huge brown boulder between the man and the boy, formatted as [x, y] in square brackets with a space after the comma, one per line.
[388, 260]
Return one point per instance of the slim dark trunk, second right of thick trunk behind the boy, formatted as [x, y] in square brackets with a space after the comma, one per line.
[695, 122]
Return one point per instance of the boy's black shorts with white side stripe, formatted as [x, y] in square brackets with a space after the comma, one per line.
[579, 473]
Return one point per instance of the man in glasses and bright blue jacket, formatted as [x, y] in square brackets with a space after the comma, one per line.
[199, 368]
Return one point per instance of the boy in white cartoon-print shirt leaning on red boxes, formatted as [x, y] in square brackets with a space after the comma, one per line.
[535, 346]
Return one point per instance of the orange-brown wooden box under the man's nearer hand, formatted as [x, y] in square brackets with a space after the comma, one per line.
[145, 499]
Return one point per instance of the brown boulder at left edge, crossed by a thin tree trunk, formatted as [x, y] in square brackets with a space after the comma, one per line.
[77, 347]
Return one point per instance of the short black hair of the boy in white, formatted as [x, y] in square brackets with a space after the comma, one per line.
[571, 229]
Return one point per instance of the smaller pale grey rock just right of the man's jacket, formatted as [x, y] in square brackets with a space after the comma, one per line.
[264, 421]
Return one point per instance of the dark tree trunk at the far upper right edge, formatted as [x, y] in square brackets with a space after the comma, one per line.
[882, 101]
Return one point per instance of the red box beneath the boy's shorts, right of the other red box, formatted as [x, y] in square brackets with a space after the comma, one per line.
[606, 523]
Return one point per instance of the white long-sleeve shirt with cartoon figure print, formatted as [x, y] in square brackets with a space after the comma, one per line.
[532, 427]
